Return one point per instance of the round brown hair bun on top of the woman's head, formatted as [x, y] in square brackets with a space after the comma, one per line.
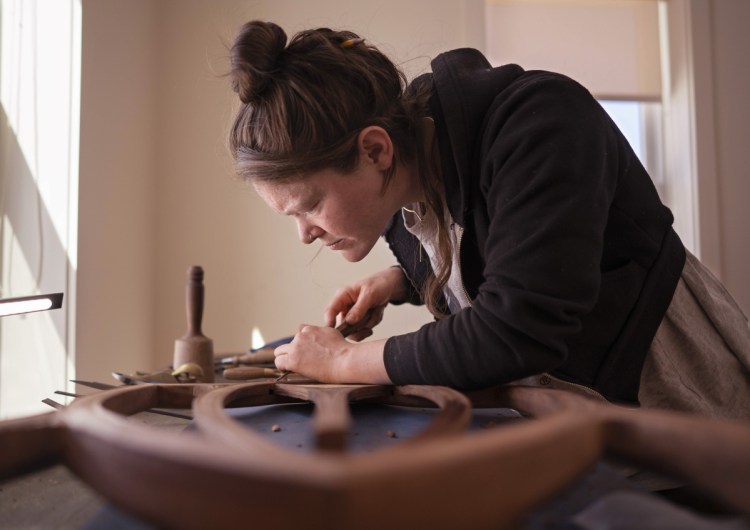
[255, 56]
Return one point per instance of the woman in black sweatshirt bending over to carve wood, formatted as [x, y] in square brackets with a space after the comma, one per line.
[518, 213]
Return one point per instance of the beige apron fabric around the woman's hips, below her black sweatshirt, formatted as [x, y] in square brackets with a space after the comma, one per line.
[699, 360]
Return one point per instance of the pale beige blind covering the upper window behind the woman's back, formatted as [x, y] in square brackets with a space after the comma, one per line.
[611, 46]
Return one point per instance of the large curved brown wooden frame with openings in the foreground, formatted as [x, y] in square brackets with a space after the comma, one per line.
[225, 476]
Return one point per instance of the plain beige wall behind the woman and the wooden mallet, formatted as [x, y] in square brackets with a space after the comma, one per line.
[158, 192]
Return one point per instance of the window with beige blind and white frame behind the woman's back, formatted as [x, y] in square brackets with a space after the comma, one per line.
[637, 57]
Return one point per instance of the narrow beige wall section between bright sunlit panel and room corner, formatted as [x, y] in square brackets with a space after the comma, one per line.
[118, 184]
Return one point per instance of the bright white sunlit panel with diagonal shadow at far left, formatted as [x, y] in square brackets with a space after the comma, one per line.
[40, 92]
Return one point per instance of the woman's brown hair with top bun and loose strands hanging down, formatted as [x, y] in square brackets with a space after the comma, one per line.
[305, 101]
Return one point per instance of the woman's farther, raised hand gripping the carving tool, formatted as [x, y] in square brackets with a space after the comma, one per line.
[363, 302]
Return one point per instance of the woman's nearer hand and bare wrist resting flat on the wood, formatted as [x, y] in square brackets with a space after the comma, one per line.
[323, 354]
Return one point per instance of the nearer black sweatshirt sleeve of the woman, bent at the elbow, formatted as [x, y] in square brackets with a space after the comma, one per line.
[547, 170]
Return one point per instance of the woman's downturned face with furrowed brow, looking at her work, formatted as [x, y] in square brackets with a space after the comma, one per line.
[345, 212]
